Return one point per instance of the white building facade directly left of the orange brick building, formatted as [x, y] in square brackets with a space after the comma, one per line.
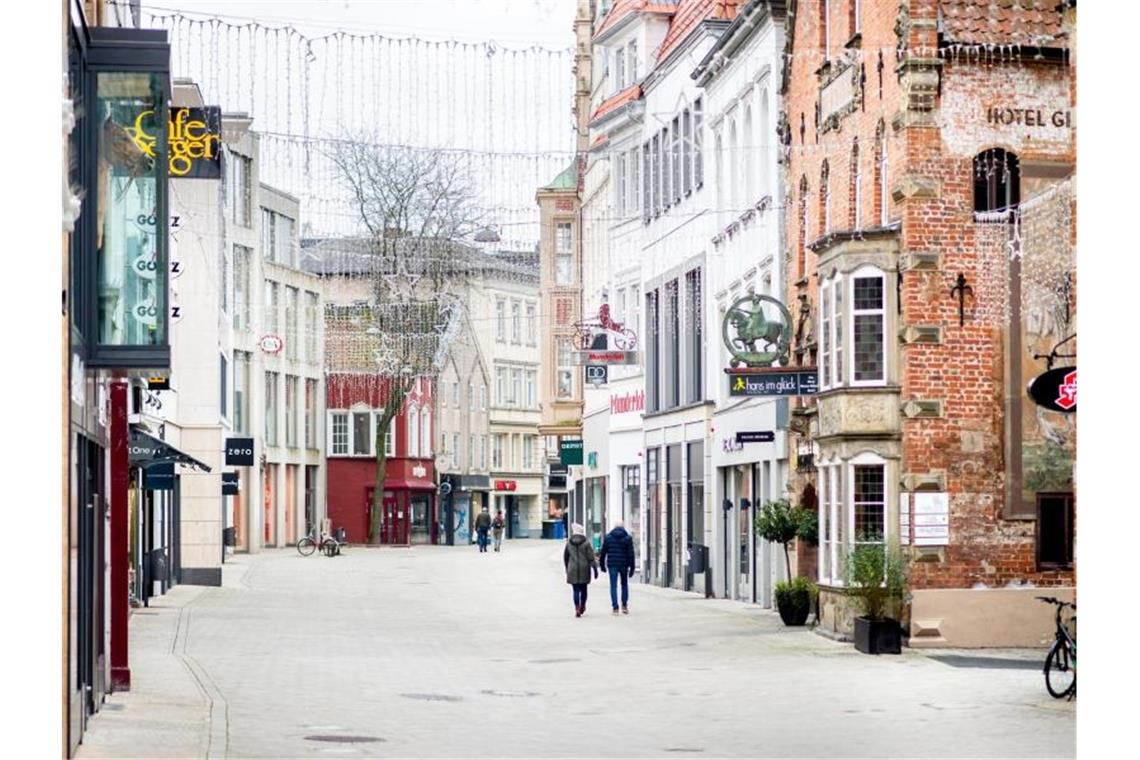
[740, 78]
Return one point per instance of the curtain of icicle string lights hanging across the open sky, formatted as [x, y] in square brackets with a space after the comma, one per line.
[307, 93]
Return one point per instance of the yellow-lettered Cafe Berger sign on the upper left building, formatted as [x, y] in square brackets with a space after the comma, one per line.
[193, 136]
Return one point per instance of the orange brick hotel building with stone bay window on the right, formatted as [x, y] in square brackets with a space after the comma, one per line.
[930, 146]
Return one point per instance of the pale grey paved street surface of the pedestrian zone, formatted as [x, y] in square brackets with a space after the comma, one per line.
[443, 652]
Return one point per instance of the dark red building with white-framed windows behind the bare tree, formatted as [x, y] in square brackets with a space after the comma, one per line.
[355, 404]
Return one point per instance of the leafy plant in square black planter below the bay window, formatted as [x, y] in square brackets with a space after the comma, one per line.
[876, 577]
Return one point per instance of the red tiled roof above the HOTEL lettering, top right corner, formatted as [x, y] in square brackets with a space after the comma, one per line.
[1001, 22]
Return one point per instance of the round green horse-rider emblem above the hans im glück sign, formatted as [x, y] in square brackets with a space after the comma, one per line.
[758, 332]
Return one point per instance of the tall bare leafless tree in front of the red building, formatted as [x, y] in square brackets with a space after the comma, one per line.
[417, 207]
